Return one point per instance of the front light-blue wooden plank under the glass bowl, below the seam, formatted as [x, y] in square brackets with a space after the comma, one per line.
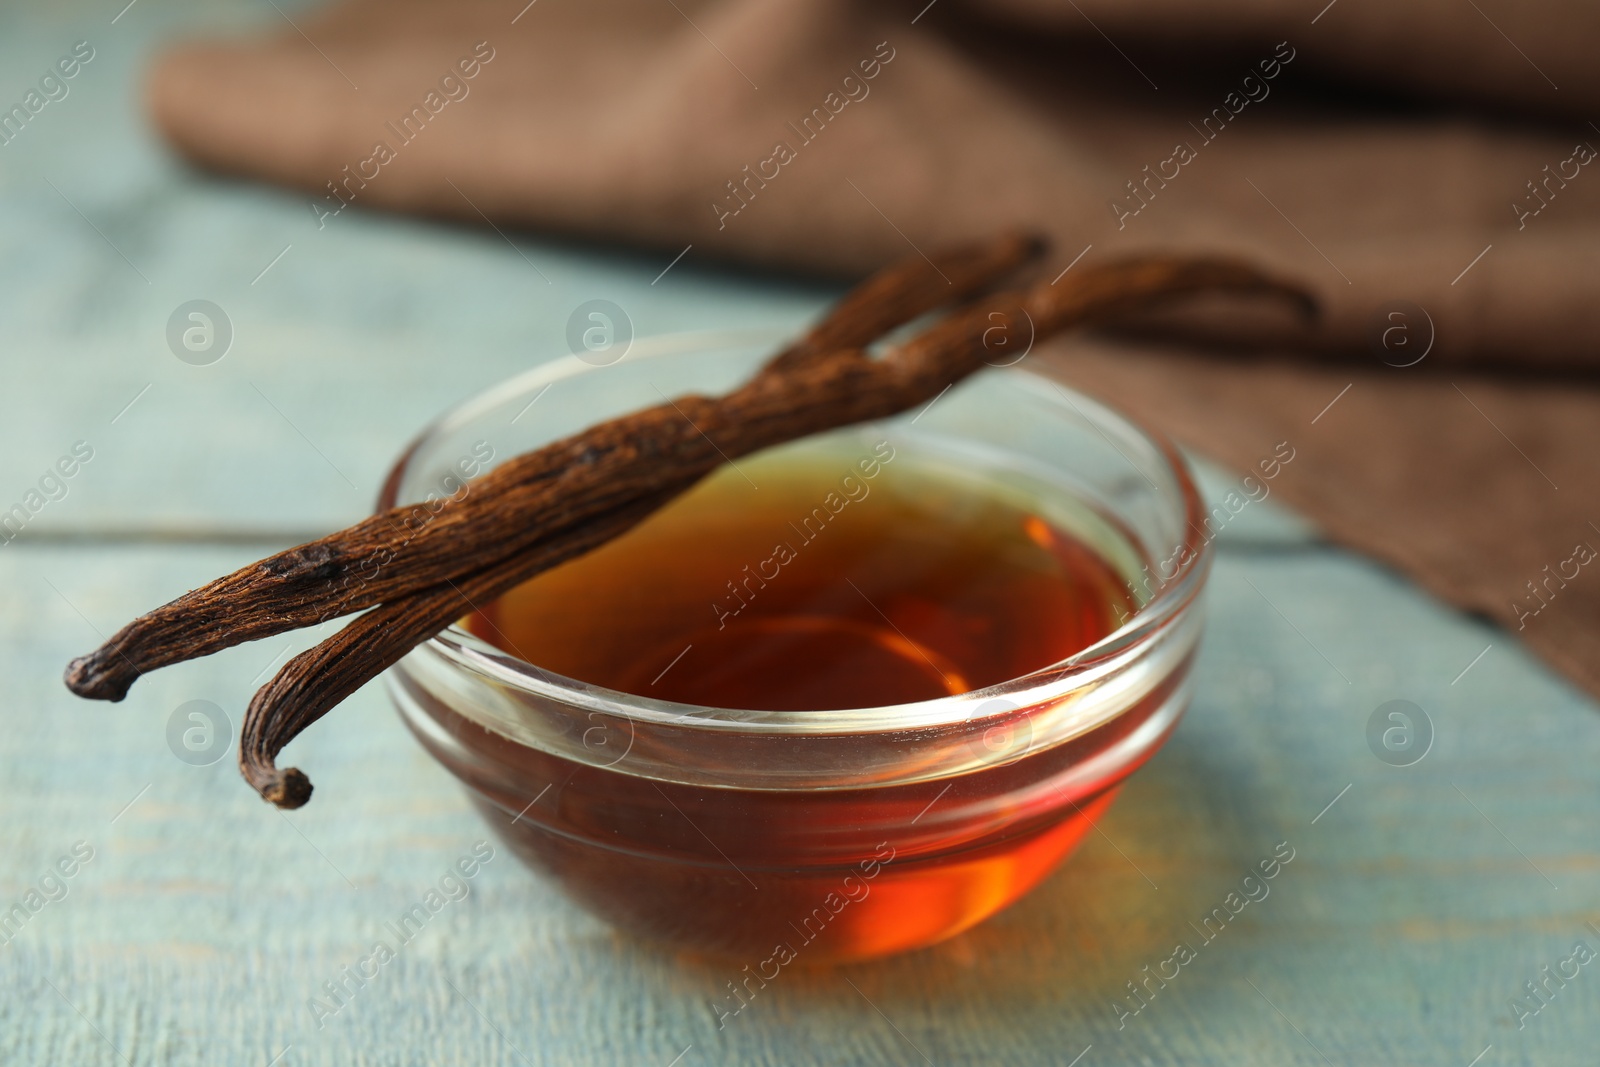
[1412, 913]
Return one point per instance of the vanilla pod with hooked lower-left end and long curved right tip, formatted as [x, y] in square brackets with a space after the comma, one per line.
[825, 393]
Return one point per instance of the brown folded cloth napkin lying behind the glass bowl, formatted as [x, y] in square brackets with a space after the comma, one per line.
[1425, 164]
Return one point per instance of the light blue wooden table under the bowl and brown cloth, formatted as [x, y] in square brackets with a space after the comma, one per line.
[1418, 903]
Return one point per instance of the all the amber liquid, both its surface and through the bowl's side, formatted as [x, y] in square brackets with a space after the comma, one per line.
[927, 583]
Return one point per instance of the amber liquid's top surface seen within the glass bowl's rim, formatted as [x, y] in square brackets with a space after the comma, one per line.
[806, 585]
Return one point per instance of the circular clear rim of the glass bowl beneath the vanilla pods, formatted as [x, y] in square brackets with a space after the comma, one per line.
[1169, 602]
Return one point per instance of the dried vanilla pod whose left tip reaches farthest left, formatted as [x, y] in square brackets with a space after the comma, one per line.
[508, 510]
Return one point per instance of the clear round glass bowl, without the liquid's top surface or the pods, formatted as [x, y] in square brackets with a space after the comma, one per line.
[817, 836]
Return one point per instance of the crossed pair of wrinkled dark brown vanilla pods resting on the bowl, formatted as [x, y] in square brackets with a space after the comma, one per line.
[548, 506]
